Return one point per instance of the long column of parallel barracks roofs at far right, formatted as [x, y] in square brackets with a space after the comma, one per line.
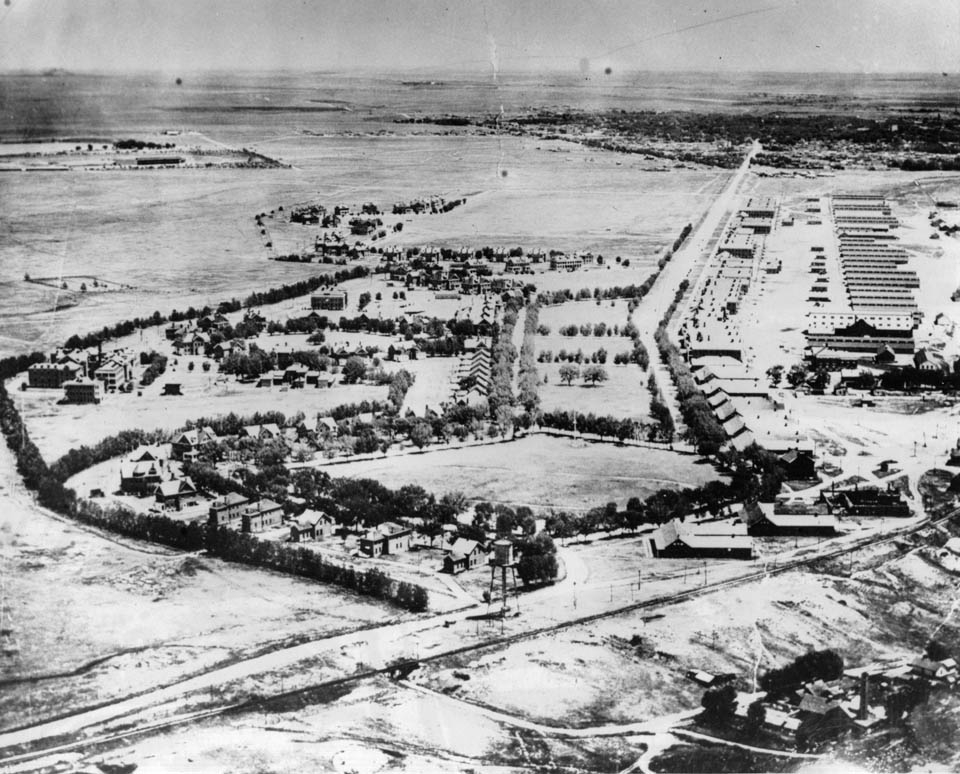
[867, 308]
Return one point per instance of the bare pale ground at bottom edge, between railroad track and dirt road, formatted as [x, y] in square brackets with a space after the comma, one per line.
[375, 727]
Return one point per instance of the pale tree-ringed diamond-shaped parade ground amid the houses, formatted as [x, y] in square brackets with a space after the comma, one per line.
[540, 471]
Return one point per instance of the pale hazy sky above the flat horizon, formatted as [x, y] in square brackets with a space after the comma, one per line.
[482, 36]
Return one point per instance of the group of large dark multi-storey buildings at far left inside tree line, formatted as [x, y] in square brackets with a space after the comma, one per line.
[85, 377]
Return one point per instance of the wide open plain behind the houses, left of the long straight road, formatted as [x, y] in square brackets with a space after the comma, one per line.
[175, 238]
